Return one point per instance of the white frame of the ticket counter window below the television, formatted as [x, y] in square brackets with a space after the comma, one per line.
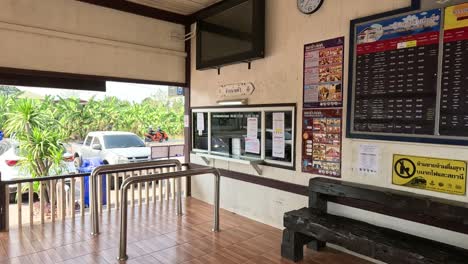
[262, 109]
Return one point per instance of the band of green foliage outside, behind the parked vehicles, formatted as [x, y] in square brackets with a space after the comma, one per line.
[74, 118]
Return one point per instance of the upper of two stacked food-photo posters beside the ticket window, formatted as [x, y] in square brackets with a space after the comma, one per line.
[323, 73]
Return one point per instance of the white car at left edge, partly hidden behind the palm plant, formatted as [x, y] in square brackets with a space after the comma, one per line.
[11, 169]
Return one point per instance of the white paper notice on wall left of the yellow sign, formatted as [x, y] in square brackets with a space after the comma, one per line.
[368, 163]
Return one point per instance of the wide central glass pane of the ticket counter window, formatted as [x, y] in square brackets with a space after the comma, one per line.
[236, 133]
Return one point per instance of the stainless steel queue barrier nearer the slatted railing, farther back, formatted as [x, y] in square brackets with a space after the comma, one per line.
[125, 168]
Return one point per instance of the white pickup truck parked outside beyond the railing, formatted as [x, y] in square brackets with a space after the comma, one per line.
[112, 147]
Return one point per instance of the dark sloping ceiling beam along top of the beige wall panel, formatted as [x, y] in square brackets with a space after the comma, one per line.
[142, 10]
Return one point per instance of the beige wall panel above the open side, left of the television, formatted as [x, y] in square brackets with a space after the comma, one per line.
[75, 37]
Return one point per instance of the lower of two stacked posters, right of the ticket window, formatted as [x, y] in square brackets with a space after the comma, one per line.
[321, 135]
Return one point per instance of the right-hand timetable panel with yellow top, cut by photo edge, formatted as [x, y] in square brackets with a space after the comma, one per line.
[454, 89]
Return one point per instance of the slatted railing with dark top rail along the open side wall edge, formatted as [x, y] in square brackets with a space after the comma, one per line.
[60, 192]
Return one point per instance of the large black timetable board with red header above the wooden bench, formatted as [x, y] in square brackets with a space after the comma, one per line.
[409, 81]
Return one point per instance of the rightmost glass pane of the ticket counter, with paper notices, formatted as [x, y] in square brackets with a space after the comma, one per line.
[288, 137]
